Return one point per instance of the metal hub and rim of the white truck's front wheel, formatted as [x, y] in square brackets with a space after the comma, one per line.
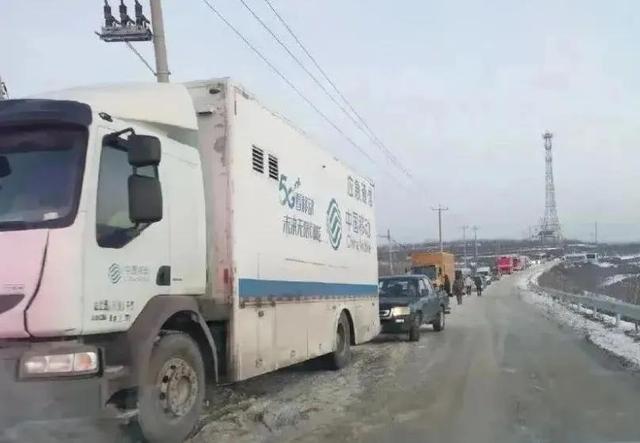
[178, 387]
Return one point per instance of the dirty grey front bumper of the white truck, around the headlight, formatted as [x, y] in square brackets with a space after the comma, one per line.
[27, 400]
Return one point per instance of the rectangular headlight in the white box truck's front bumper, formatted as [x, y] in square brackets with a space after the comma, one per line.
[67, 364]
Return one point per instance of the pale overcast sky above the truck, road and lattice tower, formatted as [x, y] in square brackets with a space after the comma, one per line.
[461, 91]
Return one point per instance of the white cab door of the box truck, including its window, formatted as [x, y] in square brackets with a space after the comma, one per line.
[125, 265]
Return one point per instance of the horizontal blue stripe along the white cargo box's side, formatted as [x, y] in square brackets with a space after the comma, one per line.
[254, 288]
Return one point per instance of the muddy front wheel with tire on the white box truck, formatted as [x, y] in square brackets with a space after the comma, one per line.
[171, 394]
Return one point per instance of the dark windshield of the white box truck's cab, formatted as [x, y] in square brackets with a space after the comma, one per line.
[40, 176]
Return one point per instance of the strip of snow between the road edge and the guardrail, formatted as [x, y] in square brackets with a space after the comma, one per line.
[602, 331]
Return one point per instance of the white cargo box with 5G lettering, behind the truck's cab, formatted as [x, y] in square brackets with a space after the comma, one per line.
[291, 238]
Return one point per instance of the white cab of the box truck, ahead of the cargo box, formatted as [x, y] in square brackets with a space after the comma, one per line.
[102, 234]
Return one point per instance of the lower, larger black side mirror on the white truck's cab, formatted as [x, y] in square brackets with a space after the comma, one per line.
[145, 199]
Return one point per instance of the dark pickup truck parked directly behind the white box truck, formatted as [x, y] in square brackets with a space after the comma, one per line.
[409, 301]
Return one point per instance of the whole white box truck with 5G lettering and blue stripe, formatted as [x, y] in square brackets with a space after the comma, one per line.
[154, 237]
